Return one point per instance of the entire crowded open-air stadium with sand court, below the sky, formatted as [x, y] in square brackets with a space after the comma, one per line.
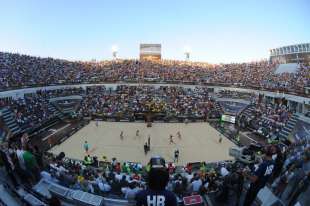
[155, 131]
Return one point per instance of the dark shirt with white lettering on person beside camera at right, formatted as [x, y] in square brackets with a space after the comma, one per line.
[263, 172]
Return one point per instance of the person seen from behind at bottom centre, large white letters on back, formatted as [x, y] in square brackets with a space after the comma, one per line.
[156, 194]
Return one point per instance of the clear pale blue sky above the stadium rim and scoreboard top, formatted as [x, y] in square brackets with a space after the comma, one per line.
[218, 31]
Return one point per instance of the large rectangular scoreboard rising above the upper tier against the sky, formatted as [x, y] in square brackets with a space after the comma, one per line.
[150, 51]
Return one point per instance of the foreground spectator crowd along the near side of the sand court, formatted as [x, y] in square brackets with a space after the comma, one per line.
[224, 182]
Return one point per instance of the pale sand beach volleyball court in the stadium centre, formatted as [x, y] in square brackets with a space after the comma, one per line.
[198, 142]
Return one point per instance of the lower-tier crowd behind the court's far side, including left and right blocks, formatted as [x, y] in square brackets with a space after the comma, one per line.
[164, 103]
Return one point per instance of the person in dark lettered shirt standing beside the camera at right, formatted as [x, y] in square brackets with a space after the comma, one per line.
[261, 176]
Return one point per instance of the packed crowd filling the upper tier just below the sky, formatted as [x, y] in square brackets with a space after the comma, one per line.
[17, 71]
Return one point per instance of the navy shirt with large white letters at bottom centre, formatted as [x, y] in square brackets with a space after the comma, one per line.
[156, 198]
